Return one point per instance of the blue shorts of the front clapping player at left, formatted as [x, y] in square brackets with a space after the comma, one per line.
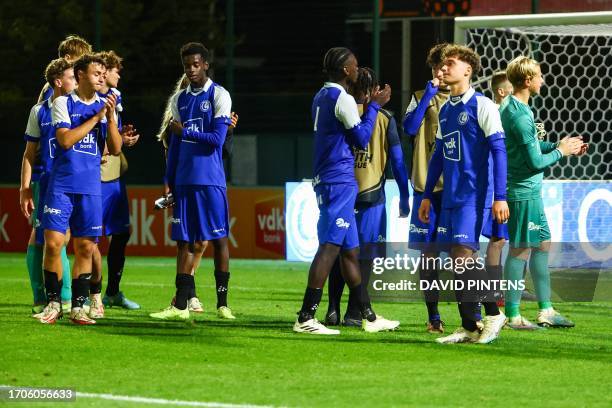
[82, 213]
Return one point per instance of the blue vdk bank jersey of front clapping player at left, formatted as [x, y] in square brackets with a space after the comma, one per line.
[77, 169]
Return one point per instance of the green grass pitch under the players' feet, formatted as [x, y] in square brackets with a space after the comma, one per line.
[256, 359]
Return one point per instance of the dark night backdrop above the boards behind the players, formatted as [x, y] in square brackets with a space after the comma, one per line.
[278, 54]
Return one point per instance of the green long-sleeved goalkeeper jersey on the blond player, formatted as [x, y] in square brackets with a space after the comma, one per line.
[528, 157]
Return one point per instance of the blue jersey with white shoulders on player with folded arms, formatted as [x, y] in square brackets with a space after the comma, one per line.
[196, 156]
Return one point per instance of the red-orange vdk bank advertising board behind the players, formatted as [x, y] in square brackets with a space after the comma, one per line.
[257, 223]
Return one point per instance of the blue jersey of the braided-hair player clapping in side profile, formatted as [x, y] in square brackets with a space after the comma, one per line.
[337, 128]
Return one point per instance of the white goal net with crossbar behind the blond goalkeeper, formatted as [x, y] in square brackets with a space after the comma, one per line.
[575, 51]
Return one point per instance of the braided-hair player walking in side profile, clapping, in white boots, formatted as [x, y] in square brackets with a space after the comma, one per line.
[337, 128]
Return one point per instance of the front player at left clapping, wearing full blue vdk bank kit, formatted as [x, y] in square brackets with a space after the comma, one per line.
[83, 122]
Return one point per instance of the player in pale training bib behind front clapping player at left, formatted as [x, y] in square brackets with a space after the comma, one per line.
[115, 207]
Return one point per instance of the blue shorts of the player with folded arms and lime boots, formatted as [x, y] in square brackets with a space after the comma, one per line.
[200, 213]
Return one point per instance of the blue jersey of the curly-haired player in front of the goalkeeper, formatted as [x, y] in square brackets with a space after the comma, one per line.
[466, 122]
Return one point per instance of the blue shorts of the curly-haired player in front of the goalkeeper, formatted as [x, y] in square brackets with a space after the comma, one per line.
[461, 226]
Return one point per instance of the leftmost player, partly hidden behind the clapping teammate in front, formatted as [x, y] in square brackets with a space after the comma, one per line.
[40, 136]
